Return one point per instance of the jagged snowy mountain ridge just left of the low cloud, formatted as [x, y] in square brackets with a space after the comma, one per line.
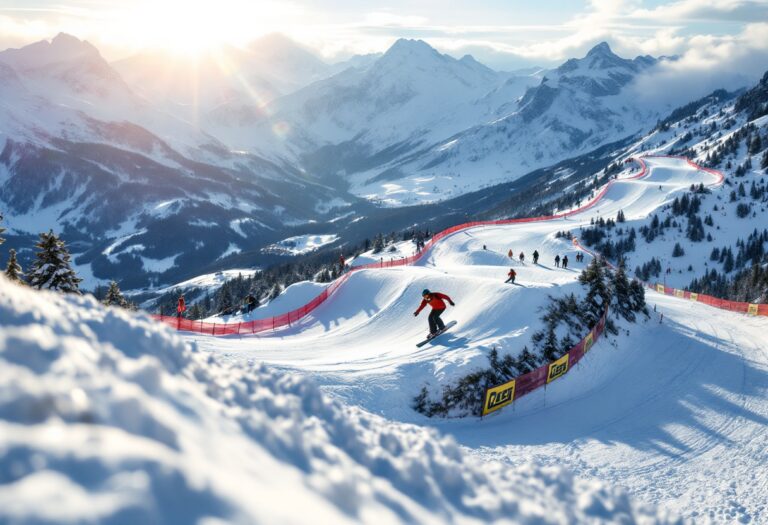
[583, 104]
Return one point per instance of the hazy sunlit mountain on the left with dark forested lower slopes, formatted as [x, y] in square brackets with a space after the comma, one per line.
[83, 153]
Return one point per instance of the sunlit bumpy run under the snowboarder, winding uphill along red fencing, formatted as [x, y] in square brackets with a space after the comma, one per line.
[361, 341]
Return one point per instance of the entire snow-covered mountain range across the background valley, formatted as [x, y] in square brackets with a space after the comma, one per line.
[111, 162]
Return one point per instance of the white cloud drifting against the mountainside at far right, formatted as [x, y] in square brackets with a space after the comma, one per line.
[709, 63]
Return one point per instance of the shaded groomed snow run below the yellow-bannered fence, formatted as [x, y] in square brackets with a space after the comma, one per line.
[676, 412]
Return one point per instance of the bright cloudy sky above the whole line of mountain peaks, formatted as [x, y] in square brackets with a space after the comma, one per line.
[504, 34]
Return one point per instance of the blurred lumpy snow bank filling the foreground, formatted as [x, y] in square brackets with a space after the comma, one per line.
[110, 417]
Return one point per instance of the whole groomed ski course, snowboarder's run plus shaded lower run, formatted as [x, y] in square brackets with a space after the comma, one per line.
[674, 411]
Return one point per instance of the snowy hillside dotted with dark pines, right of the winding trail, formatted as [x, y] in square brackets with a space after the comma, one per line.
[706, 234]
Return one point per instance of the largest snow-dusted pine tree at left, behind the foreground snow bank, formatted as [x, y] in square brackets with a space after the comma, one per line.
[51, 269]
